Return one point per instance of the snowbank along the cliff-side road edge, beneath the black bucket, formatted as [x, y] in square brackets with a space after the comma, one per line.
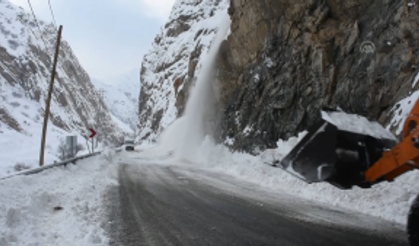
[390, 201]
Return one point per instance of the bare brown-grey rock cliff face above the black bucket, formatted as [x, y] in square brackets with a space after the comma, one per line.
[284, 61]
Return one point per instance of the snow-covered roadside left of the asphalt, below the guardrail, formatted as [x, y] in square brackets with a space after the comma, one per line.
[59, 206]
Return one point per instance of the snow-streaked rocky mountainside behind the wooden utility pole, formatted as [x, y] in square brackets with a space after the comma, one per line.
[25, 65]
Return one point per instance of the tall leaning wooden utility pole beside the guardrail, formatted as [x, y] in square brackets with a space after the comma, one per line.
[48, 103]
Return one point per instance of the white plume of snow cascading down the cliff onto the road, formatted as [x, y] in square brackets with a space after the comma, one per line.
[187, 133]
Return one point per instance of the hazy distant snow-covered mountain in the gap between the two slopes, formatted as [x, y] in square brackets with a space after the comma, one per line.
[121, 96]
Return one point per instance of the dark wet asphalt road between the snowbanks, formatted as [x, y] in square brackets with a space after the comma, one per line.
[169, 205]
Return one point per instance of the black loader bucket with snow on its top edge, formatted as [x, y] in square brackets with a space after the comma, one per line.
[339, 149]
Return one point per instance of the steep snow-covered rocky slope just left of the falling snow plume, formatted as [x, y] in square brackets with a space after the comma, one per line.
[169, 68]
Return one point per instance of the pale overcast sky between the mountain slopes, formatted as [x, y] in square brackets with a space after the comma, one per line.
[109, 37]
